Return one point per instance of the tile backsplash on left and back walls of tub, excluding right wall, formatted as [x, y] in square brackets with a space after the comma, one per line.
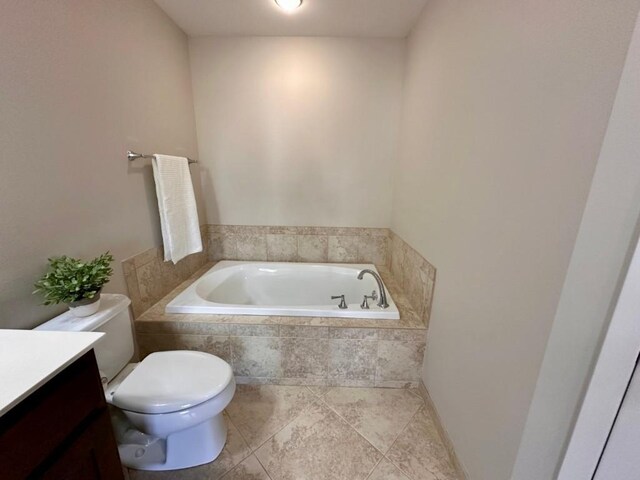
[149, 278]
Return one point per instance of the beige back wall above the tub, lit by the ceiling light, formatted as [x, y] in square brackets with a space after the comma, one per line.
[297, 131]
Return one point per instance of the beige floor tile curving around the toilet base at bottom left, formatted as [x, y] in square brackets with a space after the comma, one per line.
[233, 453]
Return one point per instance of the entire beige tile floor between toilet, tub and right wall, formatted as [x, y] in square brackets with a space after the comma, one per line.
[309, 433]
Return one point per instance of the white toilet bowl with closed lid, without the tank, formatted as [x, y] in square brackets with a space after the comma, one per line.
[168, 410]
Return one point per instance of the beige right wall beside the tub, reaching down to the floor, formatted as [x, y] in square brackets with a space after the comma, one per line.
[505, 108]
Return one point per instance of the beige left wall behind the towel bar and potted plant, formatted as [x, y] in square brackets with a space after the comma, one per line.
[82, 81]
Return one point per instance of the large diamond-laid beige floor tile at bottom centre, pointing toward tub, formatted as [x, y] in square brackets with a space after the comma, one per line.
[318, 445]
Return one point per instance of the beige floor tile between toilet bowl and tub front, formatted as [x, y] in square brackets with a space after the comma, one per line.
[259, 411]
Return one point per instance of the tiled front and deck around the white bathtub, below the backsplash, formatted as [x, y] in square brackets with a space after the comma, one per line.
[296, 350]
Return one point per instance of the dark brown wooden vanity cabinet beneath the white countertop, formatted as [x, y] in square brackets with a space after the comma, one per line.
[61, 431]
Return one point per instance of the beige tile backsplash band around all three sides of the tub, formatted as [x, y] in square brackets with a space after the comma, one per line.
[149, 278]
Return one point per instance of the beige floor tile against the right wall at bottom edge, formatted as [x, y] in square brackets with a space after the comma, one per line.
[419, 452]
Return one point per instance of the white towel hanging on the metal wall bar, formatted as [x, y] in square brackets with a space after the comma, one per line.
[177, 205]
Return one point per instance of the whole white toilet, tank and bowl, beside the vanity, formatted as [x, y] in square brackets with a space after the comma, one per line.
[167, 409]
